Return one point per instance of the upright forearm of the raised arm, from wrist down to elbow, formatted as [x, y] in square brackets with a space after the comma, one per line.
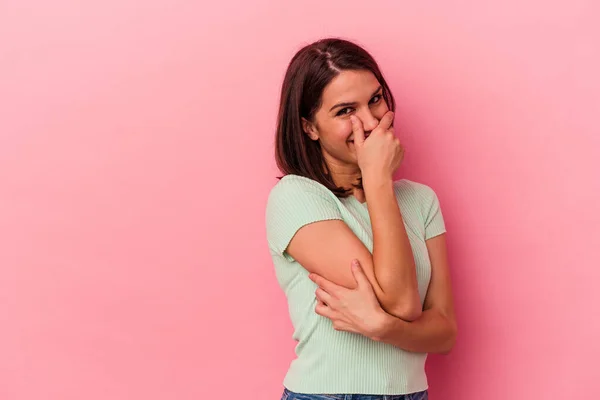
[393, 261]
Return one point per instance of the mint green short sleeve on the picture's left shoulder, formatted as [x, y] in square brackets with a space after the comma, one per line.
[293, 203]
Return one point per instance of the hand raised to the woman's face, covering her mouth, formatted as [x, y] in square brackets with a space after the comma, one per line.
[379, 155]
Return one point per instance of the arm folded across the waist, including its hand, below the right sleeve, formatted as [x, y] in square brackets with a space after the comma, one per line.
[355, 311]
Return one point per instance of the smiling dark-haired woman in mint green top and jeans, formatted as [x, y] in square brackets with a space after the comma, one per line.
[360, 257]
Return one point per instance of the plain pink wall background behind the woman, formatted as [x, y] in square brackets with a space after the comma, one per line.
[136, 156]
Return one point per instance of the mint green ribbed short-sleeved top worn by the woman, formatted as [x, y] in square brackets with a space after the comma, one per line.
[330, 361]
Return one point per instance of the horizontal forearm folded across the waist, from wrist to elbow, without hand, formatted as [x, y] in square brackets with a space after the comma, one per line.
[433, 332]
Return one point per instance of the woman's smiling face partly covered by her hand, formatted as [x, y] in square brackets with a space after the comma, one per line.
[350, 93]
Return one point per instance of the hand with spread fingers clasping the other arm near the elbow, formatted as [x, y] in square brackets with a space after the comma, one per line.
[352, 310]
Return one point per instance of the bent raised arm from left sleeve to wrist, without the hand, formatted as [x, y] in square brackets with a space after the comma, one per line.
[326, 248]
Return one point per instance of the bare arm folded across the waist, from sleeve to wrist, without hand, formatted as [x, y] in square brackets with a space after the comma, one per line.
[435, 331]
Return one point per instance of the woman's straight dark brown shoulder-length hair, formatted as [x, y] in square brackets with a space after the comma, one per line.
[309, 72]
